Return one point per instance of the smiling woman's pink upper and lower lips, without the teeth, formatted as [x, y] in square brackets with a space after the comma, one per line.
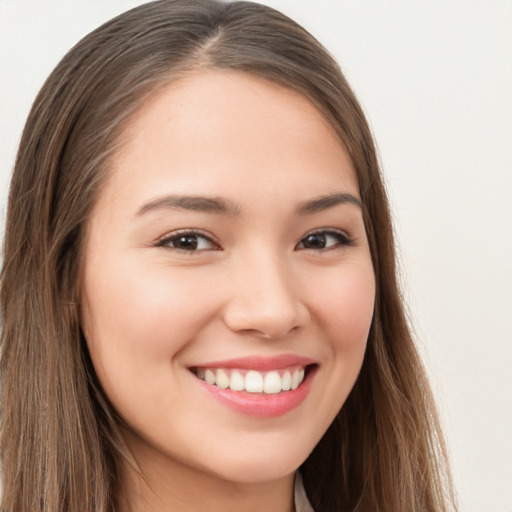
[261, 405]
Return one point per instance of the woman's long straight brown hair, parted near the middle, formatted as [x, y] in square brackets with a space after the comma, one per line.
[60, 445]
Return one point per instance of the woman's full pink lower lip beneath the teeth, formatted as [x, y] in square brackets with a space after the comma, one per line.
[261, 405]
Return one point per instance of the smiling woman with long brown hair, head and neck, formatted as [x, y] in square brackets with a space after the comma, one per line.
[199, 289]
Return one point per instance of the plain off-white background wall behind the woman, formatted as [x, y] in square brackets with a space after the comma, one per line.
[435, 78]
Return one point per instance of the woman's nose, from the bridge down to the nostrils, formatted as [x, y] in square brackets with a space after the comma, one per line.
[265, 300]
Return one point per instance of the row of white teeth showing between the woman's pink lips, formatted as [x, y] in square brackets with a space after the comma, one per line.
[252, 381]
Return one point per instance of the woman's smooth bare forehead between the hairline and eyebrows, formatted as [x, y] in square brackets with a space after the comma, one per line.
[214, 127]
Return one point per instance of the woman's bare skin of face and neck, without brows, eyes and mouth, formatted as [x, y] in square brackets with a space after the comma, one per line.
[253, 287]
